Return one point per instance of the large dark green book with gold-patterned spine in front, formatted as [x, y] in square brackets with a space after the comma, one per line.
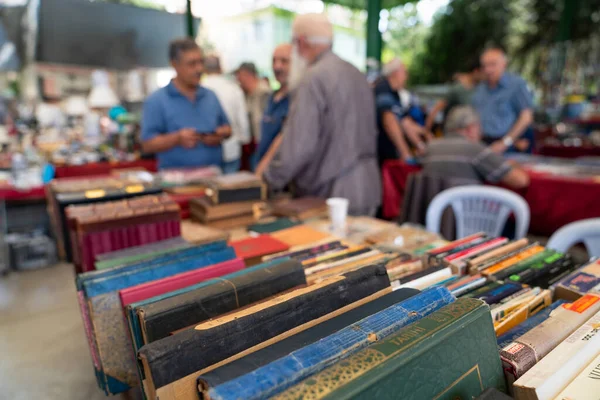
[450, 354]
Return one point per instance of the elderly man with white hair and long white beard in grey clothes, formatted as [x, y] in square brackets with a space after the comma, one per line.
[328, 146]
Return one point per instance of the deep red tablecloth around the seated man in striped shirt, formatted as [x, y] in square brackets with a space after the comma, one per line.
[554, 201]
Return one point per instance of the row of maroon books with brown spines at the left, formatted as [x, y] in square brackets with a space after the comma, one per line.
[105, 227]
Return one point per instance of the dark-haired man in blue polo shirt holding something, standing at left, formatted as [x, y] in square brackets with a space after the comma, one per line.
[184, 123]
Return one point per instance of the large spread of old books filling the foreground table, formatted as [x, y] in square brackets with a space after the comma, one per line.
[325, 317]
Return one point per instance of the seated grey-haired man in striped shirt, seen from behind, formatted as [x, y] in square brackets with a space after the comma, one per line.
[461, 154]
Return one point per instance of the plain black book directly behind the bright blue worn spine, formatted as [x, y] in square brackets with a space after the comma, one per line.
[273, 353]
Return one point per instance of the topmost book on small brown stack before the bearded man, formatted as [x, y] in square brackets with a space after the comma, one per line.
[232, 188]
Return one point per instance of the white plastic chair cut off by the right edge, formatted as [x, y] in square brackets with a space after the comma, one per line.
[586, 231]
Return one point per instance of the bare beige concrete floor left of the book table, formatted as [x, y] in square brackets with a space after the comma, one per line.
[43, 350]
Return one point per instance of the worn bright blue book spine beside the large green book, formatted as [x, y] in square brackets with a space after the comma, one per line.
[279, 375]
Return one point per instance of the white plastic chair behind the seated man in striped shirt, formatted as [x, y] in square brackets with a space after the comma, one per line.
[479, 208]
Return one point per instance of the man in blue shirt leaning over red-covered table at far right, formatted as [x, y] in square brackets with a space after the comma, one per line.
[503, 101]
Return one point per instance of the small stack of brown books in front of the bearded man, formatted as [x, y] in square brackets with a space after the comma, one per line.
[230, 201]
